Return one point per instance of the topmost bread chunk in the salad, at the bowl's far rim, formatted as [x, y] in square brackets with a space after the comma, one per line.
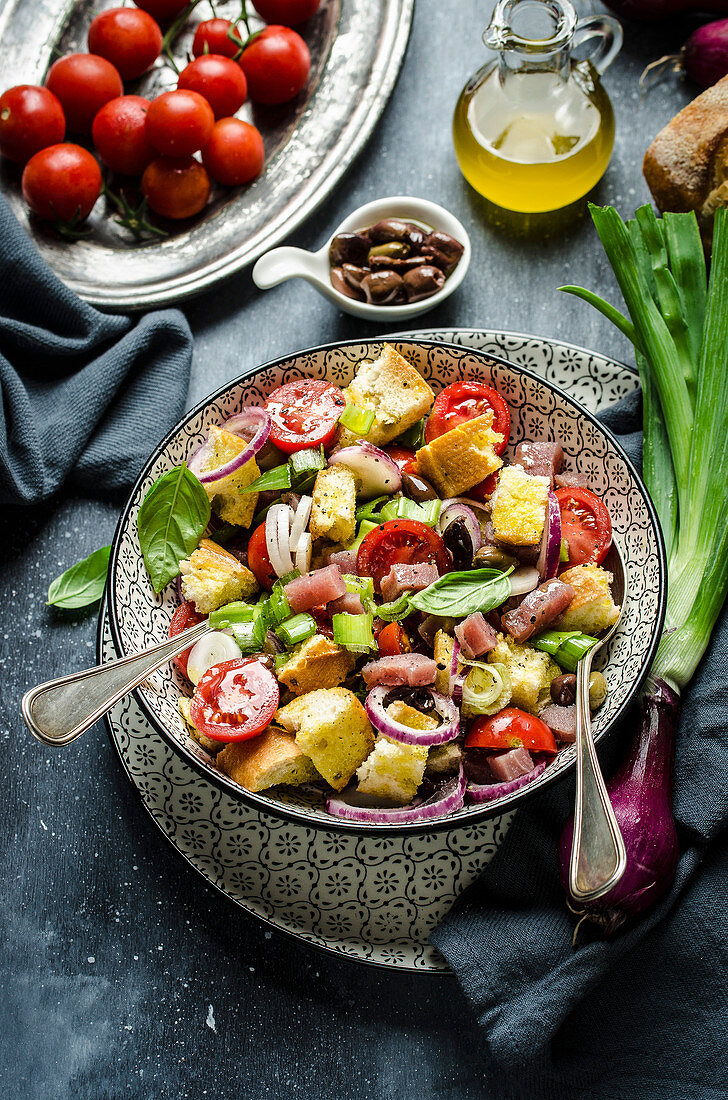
[394, 391]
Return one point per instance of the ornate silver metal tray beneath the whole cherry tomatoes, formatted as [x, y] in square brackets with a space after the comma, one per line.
[357, 51]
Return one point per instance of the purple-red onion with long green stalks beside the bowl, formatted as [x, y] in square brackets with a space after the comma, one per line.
[677, 321]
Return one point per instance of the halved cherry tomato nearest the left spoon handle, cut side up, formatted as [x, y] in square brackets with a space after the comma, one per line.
[236, 700]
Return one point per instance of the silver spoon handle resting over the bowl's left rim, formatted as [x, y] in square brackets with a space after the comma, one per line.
[62, 710]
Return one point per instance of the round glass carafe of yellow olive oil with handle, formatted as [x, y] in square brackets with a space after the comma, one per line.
[534, 129]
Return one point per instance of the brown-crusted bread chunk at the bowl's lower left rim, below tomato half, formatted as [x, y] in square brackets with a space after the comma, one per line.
[271, 760]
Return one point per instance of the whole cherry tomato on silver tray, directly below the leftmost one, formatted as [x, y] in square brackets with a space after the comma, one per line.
[62, 183]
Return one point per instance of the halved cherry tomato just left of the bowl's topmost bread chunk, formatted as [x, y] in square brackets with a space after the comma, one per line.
[305, 414]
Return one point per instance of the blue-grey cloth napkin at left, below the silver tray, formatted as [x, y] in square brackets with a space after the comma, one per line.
[84, 397]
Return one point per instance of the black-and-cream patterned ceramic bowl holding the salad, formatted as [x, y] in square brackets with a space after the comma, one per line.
[539, 411]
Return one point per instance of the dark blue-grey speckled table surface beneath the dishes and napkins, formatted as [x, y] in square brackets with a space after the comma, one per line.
[113, 952]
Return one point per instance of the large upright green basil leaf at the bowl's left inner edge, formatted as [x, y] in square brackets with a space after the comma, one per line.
[171, 522]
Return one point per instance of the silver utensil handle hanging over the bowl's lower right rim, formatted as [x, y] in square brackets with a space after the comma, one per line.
[599, 856]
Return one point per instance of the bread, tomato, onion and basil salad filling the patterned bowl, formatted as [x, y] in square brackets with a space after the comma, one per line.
[396, 608]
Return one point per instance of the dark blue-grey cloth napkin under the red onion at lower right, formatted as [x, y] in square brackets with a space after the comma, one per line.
[645, 1014]
